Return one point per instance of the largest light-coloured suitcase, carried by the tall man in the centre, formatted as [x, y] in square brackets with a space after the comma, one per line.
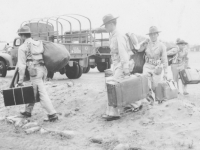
[127, 90]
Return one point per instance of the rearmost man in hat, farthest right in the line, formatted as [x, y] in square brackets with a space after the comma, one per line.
[179, 61]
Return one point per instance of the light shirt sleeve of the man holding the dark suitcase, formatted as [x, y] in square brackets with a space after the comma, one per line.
[21, 64]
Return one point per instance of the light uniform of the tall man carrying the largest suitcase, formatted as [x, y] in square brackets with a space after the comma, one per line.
[120, 55]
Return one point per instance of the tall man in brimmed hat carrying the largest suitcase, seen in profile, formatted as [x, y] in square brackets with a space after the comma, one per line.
[120, 55]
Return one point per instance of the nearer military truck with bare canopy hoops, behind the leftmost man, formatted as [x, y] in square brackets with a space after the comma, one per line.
[78, 44]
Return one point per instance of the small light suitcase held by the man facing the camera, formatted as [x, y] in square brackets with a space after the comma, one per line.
[166, 91]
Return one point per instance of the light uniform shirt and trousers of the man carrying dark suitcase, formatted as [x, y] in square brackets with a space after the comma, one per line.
[25, 59]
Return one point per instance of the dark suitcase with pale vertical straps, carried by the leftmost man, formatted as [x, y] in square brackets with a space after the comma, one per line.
[19, 95]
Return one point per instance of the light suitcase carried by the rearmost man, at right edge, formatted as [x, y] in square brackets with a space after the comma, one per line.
[190, 76]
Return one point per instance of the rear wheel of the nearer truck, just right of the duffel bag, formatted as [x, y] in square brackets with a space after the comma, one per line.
[72, 72]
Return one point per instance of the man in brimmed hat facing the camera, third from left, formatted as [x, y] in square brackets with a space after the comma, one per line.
[156, 62]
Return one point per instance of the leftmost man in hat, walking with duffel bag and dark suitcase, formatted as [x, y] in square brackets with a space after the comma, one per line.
[37, 74]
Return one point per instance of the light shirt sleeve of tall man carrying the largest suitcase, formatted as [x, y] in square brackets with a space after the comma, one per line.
[123, 53]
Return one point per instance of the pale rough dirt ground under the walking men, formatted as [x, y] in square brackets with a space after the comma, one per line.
[173, 125]
